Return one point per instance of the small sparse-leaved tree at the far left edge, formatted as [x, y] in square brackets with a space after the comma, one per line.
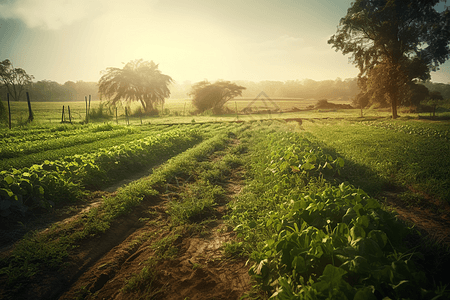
[15, 79]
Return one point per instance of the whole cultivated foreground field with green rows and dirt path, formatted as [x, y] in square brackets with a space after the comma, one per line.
[326, 206]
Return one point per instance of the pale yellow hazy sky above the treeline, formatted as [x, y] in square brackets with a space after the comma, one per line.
[64, 40]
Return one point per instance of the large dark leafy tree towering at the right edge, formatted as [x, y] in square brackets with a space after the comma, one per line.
[393, 43]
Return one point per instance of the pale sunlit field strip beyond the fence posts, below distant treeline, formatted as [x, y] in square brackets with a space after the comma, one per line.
[180, 111]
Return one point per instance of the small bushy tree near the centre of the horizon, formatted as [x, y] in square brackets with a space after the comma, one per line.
[213, 96]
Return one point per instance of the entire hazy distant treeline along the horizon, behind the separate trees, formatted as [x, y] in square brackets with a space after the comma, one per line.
[333, 90]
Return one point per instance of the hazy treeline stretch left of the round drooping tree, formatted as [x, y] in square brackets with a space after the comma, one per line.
[46, 90]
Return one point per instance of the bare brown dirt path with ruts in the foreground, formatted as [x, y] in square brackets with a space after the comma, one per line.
[198, 270]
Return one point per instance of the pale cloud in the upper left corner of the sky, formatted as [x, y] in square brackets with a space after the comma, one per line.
[55, 14]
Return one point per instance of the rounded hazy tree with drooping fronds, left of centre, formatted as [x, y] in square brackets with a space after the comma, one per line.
[138, 80]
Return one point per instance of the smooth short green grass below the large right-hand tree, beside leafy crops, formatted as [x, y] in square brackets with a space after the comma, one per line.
[380, 158]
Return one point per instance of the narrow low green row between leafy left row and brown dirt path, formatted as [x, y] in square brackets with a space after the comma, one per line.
[25, 261]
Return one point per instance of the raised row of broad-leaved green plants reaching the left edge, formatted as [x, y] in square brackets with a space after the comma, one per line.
[62, 180]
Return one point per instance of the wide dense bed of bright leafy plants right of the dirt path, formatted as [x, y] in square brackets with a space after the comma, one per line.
[312, 238]
